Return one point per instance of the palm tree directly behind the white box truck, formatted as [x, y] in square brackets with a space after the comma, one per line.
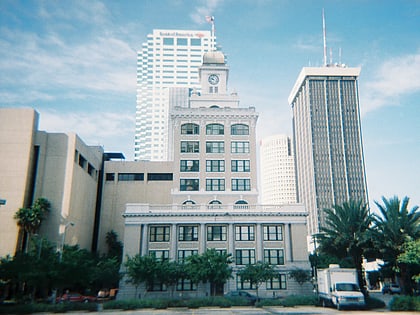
[346, 234]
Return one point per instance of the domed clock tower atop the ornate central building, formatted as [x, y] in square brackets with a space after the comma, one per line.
[214, 74]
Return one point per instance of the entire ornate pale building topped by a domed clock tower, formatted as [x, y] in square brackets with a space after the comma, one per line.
[215, 198]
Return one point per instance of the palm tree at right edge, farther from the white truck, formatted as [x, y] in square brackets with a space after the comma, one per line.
[395, 226]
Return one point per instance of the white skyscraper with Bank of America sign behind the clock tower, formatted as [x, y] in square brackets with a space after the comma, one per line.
[167, 69]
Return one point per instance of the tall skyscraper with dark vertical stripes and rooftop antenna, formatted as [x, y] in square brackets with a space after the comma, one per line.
[327, 140]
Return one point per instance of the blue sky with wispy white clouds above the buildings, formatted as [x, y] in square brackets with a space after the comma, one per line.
[75, 63]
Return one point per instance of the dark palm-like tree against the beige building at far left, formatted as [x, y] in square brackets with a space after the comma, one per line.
[30, 219]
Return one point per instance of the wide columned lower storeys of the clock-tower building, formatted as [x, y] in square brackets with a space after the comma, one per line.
[250, 233]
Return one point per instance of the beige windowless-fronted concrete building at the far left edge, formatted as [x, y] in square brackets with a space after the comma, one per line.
[55, 166]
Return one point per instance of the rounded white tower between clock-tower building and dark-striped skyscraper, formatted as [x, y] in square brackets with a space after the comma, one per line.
[278, 177]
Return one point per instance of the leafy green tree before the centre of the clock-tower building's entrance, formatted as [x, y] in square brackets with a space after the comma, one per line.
[212, 267]
